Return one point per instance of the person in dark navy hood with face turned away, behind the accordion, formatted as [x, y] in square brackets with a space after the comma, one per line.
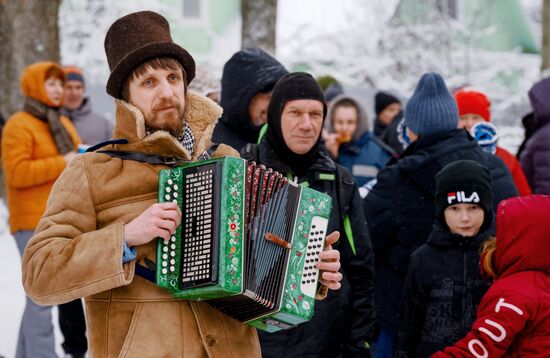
[247, 80]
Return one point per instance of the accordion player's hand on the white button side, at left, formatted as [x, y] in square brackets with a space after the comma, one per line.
[158, 220]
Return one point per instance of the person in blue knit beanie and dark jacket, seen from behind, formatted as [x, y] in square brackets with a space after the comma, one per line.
[400, 208]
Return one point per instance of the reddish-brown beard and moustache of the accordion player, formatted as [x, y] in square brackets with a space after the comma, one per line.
[172, 121]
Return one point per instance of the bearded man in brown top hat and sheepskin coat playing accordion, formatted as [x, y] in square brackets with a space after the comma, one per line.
[102, 217]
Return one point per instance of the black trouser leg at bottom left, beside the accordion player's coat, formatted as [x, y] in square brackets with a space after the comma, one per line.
[73, 326]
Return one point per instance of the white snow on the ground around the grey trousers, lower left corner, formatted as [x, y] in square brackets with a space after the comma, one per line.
[12, 302]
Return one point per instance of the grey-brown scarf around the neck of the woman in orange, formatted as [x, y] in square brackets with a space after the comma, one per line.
[61, 136]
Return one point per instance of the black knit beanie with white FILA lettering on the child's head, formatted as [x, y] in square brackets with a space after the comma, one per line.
[464, 181]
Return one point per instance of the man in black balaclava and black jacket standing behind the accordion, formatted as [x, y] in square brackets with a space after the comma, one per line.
[343, 322]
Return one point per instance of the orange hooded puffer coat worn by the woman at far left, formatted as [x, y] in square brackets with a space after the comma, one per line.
[30, 158]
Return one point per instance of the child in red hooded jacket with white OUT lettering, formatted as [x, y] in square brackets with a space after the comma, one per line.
[513, 318]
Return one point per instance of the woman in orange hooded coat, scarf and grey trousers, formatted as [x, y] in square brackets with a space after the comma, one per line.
[37, 144]
